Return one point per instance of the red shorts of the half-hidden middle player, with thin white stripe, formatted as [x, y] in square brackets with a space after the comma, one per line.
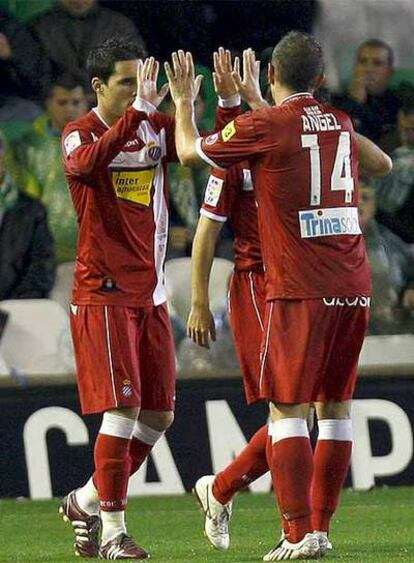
[247, 310]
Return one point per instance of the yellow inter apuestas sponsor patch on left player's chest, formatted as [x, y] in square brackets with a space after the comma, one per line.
[134, 185]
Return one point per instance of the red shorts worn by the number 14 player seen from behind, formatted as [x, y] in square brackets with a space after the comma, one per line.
[310, 349]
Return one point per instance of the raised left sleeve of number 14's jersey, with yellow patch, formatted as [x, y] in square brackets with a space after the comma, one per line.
[245, 138]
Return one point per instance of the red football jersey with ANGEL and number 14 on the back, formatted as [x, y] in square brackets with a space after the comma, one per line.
[304, 162]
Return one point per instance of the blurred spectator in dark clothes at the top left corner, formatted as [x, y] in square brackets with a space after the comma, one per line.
[22, 71]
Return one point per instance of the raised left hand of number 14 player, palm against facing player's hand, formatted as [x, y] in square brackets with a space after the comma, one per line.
[184, 86]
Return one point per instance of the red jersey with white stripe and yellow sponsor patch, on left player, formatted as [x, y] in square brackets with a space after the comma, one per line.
[117, 178]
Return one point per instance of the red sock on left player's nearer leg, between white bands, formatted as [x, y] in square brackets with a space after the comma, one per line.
[112, 471]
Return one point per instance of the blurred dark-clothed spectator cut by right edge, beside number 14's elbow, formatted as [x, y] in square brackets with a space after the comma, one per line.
[395, 197]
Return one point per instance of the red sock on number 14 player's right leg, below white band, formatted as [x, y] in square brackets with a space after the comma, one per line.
[331, 463]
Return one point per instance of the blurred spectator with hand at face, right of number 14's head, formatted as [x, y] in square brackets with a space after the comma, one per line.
[369, 100]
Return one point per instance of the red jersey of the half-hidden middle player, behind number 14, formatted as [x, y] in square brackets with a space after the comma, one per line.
[229, 195]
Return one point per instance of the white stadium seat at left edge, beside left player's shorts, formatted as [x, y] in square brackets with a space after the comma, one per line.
[36, 340]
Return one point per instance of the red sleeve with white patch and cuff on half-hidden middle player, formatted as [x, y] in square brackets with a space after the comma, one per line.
[220, 193]
